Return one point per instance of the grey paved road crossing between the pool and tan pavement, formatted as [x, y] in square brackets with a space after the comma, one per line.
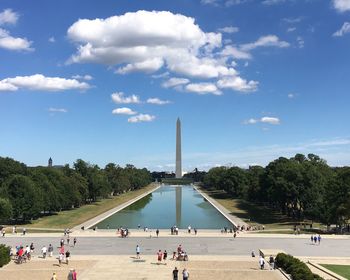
[194, 245]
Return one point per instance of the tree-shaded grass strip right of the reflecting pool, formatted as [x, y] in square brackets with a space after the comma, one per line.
[254, 214]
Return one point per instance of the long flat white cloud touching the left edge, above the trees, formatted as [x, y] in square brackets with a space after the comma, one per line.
[41, 83]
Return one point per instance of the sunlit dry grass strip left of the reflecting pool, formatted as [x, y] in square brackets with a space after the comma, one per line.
[71, 218]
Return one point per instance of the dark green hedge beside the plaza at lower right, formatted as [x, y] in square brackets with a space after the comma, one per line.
[296, 268]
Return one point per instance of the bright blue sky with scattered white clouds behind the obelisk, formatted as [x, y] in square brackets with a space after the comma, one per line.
[251, 81]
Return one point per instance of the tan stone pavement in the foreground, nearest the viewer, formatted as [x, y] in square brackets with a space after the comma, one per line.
[128, 267]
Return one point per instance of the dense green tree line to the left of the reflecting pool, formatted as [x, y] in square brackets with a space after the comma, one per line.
[29, 192]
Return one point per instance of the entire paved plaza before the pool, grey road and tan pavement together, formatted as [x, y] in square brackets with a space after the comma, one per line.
[212, 255]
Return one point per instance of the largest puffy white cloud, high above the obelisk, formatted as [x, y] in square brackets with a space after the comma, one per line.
[149, 41]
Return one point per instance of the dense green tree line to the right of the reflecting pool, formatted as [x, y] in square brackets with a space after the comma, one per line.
[302, 187]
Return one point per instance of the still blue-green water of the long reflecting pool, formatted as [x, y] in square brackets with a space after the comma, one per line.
[168, 206]
